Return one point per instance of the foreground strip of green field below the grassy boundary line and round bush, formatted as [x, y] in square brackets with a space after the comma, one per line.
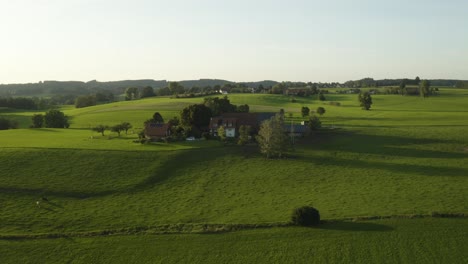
[382, 241]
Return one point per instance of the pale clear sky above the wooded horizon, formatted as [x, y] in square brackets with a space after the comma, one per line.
[238, 40]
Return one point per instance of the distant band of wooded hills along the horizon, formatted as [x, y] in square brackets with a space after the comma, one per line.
[44, 94]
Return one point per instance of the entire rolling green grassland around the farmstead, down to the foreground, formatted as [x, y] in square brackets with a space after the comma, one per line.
[407, 156]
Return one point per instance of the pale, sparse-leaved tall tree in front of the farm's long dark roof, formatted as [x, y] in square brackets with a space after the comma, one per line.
[272, 138]
